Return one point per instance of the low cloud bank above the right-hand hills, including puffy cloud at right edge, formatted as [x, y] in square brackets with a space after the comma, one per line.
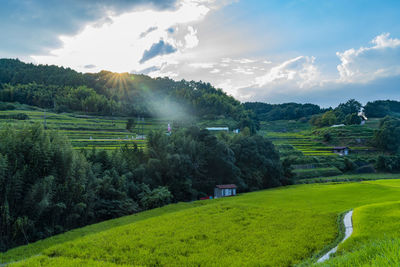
[361, 71]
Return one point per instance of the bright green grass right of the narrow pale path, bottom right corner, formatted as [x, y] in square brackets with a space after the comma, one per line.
[376, 237]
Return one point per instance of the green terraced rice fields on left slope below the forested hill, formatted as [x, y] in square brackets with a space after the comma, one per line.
[87, 132]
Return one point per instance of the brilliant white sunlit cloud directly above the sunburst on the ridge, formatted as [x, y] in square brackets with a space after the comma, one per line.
[119, 45]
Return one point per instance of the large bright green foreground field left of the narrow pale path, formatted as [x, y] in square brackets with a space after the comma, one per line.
[277, 227]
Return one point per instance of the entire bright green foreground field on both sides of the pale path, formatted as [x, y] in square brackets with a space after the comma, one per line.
[284, 226]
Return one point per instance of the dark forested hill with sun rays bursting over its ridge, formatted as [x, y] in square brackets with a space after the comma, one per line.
[111, 93]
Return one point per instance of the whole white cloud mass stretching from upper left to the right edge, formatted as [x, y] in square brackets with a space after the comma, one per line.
[183, 43]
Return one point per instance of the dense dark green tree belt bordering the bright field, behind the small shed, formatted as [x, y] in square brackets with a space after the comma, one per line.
[46, 187]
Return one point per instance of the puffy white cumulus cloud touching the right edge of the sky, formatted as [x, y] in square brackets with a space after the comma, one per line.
[369, 63]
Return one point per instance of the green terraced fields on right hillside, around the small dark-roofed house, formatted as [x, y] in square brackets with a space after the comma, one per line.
[306, 144]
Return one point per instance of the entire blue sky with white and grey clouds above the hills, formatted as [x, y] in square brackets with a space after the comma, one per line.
[274, 51]
